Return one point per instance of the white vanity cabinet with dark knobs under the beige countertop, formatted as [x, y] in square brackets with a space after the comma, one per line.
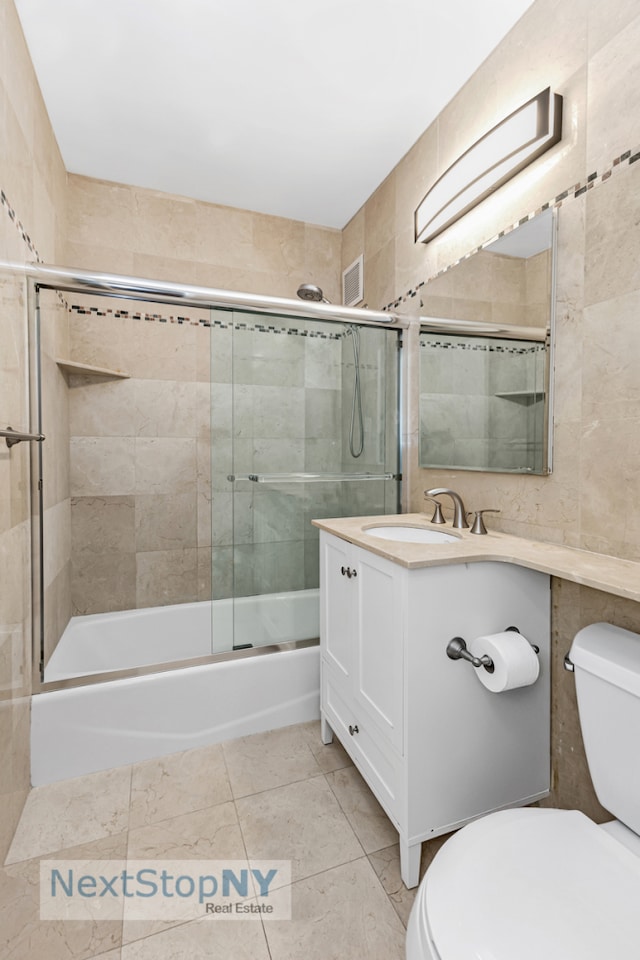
[434, 745]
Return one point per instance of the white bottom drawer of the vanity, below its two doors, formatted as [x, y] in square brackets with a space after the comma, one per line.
[378, 763]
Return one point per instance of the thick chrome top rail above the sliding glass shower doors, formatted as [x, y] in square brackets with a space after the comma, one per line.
[69, 279]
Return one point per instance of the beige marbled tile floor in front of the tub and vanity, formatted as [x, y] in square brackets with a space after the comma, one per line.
[278, 795]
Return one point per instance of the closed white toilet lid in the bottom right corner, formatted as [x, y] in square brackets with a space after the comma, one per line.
[532, 884]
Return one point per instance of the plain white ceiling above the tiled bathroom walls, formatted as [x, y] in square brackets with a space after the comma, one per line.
[297, 108]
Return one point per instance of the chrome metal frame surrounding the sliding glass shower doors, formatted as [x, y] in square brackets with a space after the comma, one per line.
[68, 280]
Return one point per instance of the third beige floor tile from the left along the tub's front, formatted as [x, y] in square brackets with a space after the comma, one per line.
[267, 760]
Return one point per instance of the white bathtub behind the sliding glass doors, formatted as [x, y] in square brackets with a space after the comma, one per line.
[83, 729]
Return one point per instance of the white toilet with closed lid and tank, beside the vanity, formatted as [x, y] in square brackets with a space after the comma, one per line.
[545, 884]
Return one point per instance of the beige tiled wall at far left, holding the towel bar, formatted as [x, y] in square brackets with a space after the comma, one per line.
[32, 205]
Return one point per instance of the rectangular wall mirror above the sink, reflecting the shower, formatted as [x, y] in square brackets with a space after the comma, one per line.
[485, 357]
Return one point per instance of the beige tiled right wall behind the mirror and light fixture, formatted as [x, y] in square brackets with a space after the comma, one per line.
[590, 53]
